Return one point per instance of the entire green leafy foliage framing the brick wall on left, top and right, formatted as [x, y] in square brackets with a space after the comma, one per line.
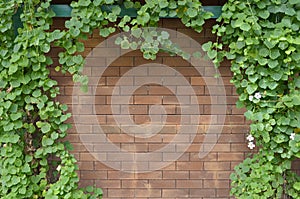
[260, 37]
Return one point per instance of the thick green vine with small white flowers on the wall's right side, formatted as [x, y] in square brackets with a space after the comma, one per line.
[262, 40]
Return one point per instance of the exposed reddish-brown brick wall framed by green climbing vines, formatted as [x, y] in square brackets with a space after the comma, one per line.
[188, 176]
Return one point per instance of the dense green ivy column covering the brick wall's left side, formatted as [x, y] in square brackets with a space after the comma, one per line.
[34, 163]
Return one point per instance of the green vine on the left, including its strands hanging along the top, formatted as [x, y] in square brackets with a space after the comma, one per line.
[35, 162]
